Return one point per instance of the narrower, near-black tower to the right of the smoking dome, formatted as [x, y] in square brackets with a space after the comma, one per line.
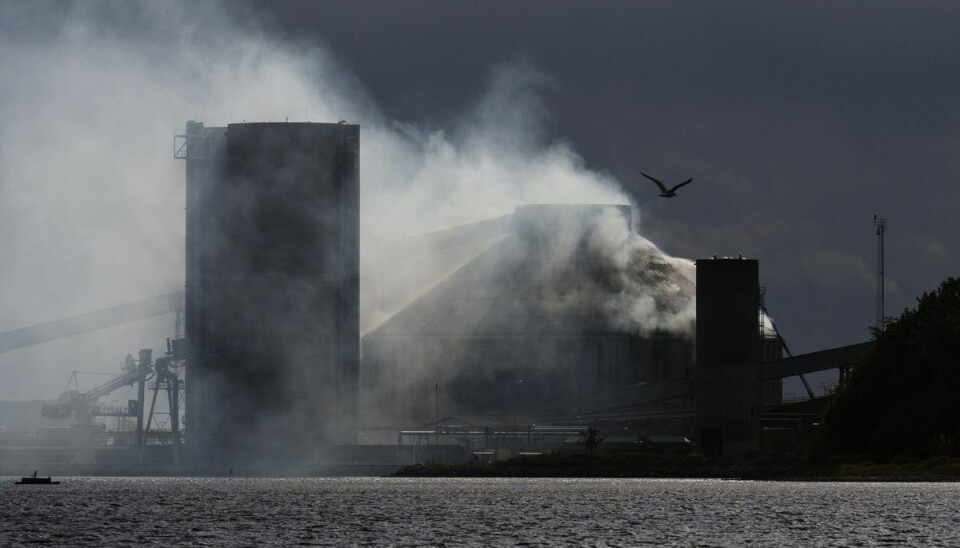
[728, 355]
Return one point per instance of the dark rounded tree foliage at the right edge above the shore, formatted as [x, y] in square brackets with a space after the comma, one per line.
[902, 399]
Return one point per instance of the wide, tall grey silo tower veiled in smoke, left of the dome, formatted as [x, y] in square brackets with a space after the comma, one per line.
[272, 290]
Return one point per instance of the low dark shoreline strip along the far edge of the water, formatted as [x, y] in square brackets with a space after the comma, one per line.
[557, 465]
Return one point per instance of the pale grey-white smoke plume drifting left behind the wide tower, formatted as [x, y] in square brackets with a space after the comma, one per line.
[91, 200]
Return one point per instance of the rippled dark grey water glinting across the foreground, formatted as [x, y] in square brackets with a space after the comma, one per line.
[476, 512]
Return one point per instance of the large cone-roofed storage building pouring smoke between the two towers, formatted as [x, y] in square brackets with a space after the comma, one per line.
[522, 328]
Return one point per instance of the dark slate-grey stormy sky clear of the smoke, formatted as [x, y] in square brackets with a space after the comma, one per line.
[798, 122]
